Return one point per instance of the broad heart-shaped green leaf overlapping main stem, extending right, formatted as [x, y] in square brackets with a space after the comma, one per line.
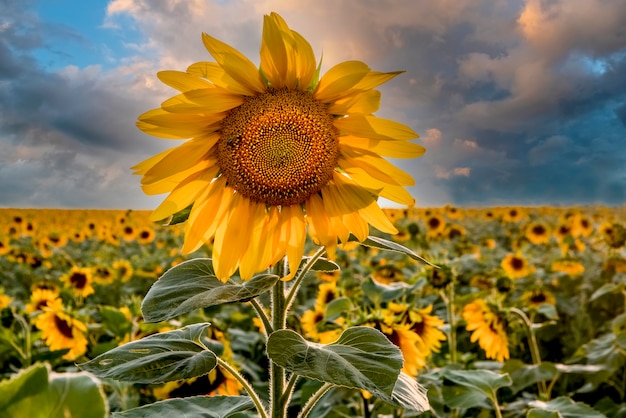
[362, 358]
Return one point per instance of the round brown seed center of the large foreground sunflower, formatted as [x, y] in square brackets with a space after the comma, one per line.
[278, 148]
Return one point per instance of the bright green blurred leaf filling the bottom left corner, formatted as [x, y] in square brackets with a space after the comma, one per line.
[37, 393]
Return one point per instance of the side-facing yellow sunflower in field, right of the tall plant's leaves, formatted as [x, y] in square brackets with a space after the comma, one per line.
[488, 328]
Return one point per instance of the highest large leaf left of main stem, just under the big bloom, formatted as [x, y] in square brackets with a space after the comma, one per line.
[192, 285]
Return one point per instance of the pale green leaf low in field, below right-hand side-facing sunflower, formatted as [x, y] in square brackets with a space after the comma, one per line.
[470, 388]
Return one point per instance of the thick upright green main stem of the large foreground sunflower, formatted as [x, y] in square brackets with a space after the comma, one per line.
[278, 404]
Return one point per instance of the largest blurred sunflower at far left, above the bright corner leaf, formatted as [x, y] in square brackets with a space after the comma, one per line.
[61, 331]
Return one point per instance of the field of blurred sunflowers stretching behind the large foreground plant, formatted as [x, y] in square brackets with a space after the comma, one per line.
[513, 312]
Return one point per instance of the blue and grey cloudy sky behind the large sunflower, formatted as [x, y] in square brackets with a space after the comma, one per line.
[517, 102]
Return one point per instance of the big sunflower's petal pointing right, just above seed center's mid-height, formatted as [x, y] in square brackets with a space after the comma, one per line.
[368, 126]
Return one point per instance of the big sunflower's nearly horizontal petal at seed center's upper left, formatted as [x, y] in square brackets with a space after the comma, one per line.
[209, 100]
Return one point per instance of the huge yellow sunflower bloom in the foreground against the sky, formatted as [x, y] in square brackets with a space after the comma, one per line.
[274, 150]
